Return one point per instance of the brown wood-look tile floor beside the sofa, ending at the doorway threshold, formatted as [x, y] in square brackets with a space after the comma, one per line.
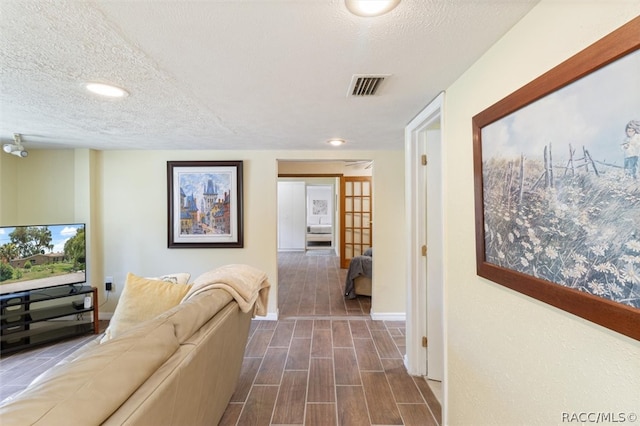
[329, 372]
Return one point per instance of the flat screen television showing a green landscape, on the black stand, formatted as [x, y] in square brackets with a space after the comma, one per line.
[38, 256]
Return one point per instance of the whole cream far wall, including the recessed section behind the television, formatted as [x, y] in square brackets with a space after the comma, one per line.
[122, 196]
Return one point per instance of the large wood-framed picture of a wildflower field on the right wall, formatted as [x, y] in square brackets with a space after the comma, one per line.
[557, 208]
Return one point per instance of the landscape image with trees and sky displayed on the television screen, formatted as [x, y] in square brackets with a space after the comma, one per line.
[34, 253]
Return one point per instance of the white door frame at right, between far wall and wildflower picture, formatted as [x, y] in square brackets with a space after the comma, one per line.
[415, 188]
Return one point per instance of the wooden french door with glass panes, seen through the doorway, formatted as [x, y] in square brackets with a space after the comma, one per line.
[357, 221]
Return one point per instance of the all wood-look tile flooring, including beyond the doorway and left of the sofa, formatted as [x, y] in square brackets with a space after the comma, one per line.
[324, 362]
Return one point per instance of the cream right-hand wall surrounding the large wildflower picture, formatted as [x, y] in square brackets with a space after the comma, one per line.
[510, 359]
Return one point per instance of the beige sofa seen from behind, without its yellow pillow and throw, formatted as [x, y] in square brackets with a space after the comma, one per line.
[179, 368]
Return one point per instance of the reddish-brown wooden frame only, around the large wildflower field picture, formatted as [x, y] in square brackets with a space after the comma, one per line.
[615, 316]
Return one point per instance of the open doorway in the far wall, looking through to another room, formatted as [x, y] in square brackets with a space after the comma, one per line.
[311, 237]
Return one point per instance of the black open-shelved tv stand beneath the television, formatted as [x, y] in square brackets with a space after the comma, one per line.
[39, 316]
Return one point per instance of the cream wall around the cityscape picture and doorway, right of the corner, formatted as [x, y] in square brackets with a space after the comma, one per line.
[134, 218]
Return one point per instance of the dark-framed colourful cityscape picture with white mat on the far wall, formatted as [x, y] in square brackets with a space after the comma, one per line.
[205, 204]
